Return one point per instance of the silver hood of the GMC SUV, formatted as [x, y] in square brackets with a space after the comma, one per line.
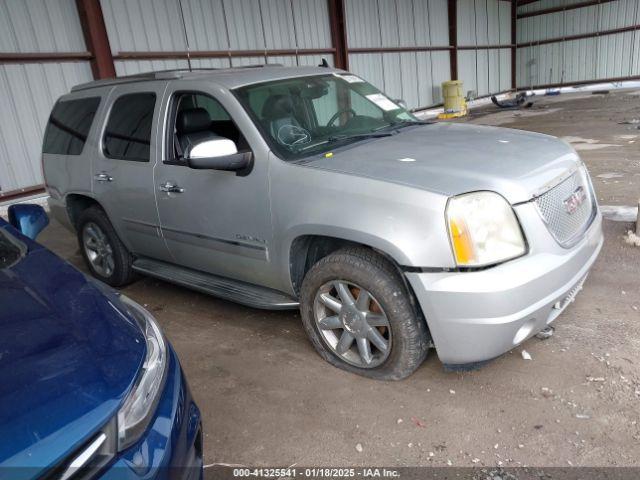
[452, 159]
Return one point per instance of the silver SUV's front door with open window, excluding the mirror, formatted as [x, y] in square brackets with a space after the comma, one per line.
[213, 221]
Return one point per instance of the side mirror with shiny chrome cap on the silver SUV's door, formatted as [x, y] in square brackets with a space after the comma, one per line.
[219, 154]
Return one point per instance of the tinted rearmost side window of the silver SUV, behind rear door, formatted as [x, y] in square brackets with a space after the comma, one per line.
[69, 125]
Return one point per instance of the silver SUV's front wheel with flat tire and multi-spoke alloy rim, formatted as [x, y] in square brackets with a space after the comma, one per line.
[359, 315]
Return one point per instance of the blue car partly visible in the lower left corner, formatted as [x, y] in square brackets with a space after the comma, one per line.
[89, 386]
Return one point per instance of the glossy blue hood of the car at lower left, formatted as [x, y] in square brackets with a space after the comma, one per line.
[68, 357]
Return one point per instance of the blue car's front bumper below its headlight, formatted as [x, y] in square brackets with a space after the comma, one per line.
[171, 448]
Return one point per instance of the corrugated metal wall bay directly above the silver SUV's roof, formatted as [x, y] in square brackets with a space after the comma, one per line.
[216, 25]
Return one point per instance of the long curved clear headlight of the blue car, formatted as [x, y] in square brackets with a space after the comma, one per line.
[140, 405]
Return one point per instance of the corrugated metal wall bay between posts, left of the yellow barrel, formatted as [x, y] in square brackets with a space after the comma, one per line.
[412, 76]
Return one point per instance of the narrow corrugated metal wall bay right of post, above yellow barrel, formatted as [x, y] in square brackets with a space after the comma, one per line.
[484, 23]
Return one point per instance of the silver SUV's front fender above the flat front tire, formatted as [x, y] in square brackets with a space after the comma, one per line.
[406, 223]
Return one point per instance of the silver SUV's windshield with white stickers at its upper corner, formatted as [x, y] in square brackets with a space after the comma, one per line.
[312, 115]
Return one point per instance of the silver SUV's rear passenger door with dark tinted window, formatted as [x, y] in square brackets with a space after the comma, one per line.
[123, 167]
